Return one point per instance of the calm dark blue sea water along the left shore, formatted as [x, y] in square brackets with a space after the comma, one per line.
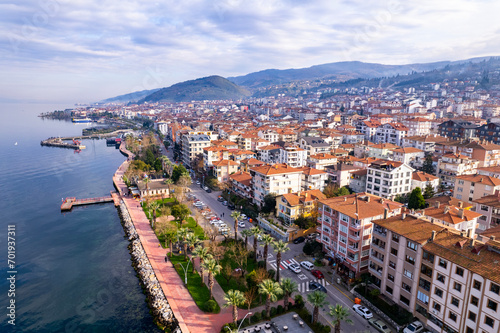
[74, 272]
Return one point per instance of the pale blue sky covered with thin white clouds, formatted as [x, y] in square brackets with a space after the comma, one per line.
[82, 51]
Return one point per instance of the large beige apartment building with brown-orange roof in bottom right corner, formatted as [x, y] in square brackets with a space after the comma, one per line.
[451, 283]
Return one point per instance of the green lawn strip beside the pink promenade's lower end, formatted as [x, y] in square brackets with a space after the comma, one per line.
[198, 290]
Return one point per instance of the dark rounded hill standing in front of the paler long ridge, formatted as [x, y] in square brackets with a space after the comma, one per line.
[207, 88]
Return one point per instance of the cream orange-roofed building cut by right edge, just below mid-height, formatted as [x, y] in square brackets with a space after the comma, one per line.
[473, 187]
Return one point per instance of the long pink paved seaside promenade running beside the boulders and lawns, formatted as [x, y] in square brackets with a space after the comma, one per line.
[191, 318]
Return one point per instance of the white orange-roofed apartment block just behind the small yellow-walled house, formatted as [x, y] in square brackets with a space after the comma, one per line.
[277, 179]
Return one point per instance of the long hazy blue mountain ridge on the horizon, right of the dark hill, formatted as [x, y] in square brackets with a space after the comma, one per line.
[338, 70]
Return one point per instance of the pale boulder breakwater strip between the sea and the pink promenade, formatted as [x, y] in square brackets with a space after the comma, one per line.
[157, 300]
